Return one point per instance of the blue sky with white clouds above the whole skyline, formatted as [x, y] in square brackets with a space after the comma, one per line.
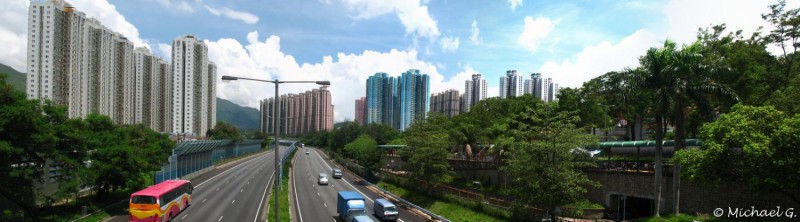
[345, 41]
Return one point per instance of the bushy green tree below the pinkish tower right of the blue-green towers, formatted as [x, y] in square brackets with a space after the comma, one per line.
[428, 143]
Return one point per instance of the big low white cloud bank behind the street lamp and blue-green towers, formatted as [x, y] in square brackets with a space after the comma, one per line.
[348, 73]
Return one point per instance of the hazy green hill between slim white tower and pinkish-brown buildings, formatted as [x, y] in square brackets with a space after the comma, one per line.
[242, 117]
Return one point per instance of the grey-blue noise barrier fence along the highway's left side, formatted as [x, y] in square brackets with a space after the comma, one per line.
[192, 158]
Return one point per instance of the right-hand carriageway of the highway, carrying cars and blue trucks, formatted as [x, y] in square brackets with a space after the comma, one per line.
[313, 202]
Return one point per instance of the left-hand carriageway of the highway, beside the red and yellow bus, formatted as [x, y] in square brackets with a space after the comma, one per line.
[236, 192]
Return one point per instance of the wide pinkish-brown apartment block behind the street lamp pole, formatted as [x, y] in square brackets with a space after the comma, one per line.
[302, 113]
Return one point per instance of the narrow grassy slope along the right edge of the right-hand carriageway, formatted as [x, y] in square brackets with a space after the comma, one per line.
[449, 210]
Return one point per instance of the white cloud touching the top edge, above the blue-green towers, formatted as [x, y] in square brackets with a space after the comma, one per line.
[412, 14]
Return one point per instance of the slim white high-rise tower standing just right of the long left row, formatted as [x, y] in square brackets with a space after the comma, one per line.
[191, 84]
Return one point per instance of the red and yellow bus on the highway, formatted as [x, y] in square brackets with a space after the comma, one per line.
[160, 202]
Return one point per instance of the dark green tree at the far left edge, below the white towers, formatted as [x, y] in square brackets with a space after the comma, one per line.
[25, 142]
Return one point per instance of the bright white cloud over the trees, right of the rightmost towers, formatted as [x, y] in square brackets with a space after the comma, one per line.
[596, 60]
